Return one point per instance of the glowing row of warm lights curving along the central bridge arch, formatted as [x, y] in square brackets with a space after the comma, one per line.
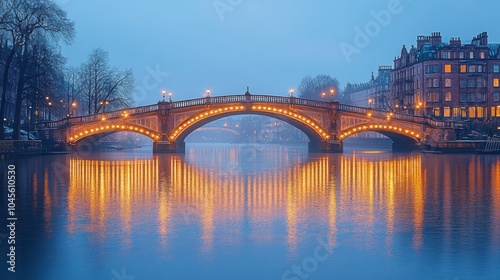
[266, 109]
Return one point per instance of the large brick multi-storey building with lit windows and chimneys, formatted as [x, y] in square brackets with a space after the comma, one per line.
[452, 80]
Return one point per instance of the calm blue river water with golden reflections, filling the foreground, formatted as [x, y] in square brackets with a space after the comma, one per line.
[255, 212]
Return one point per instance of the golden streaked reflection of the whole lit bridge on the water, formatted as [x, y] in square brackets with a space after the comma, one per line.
[337, 192]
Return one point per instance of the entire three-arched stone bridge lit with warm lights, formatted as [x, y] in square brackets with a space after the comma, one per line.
[326, 124]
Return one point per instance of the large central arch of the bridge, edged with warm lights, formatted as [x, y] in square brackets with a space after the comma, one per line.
[314, 131]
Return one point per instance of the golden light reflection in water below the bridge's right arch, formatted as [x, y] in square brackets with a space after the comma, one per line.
[371, 185]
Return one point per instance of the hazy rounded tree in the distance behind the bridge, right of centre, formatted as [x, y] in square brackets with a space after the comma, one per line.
[314, 87]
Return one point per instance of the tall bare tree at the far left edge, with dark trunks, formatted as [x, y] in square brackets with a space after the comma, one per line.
[21, 20]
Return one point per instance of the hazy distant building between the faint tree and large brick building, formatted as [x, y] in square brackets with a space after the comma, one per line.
[374, 93]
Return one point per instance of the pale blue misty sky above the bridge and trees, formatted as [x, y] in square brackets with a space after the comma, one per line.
[269, 45]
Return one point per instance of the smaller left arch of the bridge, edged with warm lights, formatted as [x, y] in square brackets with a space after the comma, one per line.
[84, 132]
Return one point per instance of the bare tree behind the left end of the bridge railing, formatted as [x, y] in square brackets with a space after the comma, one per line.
[102, 87]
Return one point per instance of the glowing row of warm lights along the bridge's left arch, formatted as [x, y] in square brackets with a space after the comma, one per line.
[113, 128]
